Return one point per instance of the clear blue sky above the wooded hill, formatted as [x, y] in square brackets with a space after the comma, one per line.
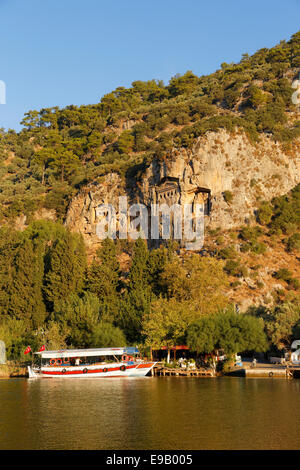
[60, 52]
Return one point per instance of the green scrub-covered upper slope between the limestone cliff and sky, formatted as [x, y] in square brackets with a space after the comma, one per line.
[60, 150]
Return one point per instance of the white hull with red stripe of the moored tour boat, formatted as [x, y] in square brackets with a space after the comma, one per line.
[104, 371]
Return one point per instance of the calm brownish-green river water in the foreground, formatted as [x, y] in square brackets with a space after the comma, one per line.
[150, 413]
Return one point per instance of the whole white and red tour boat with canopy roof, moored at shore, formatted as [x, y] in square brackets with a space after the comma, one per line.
[84, 363]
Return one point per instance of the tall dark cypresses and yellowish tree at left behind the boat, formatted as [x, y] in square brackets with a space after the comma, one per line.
[49, 295]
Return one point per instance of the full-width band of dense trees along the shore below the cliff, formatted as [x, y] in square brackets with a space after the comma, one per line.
[49, 295]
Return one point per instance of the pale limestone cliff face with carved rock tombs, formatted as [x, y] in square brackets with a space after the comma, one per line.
[219, 165]
